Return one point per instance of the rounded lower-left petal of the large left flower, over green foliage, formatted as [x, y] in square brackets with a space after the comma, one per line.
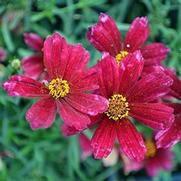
[42, 113]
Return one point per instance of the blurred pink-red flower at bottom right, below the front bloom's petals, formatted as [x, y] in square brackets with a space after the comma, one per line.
[155, 160]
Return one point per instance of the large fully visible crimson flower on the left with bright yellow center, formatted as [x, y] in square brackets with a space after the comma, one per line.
[66, 90]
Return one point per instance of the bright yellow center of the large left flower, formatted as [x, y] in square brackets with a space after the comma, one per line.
[58, 88]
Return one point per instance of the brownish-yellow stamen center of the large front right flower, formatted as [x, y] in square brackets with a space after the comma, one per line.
[118, 107]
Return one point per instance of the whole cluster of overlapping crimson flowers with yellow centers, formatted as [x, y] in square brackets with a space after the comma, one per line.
[128, 85]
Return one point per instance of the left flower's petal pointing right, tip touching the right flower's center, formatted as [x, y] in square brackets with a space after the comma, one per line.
[91, 104]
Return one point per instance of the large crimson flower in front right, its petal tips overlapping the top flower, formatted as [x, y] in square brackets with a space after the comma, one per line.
[129, 96]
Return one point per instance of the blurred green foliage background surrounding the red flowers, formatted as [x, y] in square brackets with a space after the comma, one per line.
[45, 155]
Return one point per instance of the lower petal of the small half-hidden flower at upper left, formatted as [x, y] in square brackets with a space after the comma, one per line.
[33, 66]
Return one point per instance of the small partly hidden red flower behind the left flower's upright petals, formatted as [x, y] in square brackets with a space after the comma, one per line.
[33, 65]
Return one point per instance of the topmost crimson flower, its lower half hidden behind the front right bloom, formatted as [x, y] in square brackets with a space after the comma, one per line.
[105, 37]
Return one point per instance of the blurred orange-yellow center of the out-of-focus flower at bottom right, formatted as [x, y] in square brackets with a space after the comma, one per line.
[151, 148]
